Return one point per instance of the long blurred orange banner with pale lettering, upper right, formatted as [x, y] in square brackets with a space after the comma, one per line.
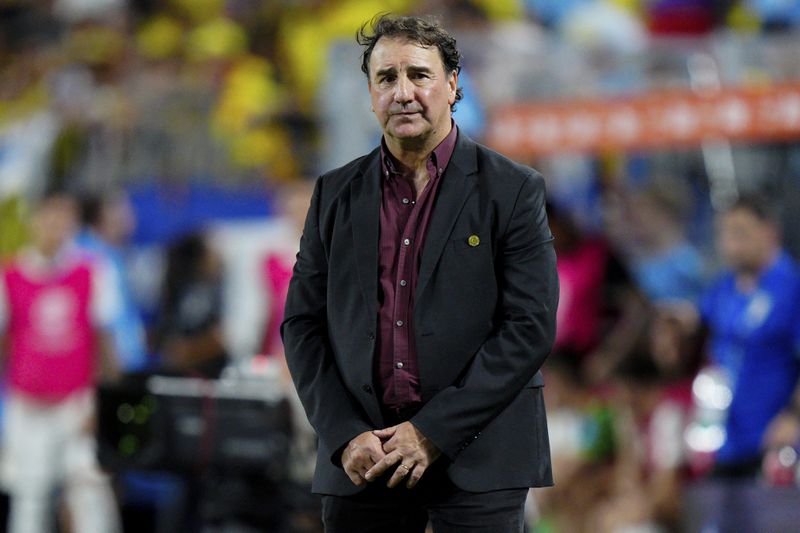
[652, 120]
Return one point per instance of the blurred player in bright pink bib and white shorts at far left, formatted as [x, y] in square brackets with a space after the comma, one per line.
[53, 307]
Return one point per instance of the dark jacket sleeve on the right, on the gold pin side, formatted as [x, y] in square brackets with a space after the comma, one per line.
[522, 339]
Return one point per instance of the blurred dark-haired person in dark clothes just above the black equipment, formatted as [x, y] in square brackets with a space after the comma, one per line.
[190, 340]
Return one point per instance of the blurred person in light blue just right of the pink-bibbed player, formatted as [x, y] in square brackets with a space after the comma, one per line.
[108, 222]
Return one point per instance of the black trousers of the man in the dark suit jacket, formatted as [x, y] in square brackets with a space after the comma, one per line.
[378, 509]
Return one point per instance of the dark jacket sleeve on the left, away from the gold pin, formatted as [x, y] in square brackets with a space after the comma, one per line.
[330, 407]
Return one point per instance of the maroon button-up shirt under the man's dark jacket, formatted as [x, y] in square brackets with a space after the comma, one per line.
[404, 220]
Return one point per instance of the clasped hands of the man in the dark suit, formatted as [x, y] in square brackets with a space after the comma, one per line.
[403, 446]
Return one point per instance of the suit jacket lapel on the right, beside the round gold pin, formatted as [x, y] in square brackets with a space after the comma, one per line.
[457, 182]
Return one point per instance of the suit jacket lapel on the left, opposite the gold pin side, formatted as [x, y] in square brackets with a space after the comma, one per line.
[365, 201]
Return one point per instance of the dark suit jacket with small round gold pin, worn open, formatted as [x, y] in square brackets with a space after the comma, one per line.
[484, 319]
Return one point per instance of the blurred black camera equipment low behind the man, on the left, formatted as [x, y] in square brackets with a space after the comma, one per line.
[183, 424]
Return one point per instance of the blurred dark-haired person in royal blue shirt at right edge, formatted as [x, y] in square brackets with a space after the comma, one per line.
[752, 313]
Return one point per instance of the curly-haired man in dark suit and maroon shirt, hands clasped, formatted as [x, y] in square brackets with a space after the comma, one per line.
[421, 308]
